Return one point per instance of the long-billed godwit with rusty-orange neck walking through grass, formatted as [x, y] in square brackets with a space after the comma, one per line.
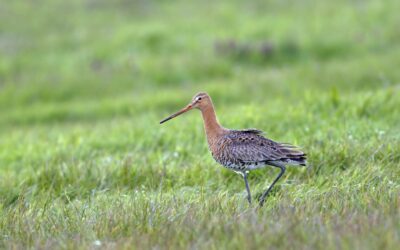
[242, 150]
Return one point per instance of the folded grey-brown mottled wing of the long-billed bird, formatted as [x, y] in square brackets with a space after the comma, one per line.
[248, 147]
